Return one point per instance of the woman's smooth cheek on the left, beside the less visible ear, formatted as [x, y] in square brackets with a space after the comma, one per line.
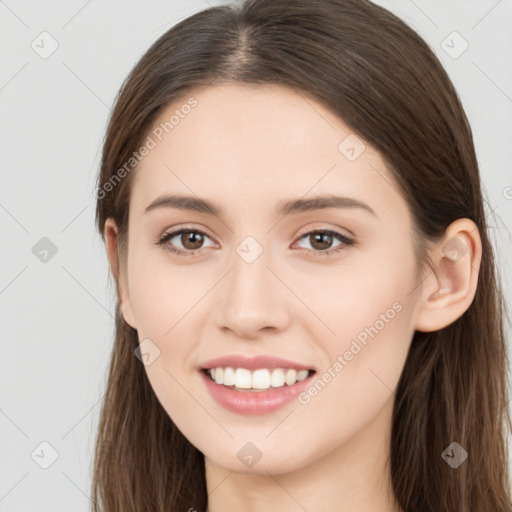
[164, 301]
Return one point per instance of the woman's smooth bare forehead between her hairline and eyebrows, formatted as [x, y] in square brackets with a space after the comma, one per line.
[246, 143]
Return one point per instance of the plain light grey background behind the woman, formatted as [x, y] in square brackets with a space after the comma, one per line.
[56, 316]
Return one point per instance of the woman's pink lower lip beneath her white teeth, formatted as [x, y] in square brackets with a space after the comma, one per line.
[254, 402]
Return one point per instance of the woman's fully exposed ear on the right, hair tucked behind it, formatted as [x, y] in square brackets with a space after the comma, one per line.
[448, 291]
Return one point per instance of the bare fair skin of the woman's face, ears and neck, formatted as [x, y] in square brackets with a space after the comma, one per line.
[247, 149]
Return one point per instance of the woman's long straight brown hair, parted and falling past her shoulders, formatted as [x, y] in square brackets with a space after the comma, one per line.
[384, 82]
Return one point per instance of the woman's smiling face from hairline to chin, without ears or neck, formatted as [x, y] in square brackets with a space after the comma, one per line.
[341, 302]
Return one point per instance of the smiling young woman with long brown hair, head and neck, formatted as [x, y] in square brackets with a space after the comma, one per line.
[308, 311]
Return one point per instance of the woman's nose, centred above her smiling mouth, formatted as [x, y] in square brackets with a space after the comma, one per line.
[252, 300]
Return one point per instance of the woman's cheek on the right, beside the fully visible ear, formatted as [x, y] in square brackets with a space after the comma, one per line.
[369, 310]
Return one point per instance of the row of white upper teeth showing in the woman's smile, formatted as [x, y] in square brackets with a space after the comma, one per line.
[262, 378]
